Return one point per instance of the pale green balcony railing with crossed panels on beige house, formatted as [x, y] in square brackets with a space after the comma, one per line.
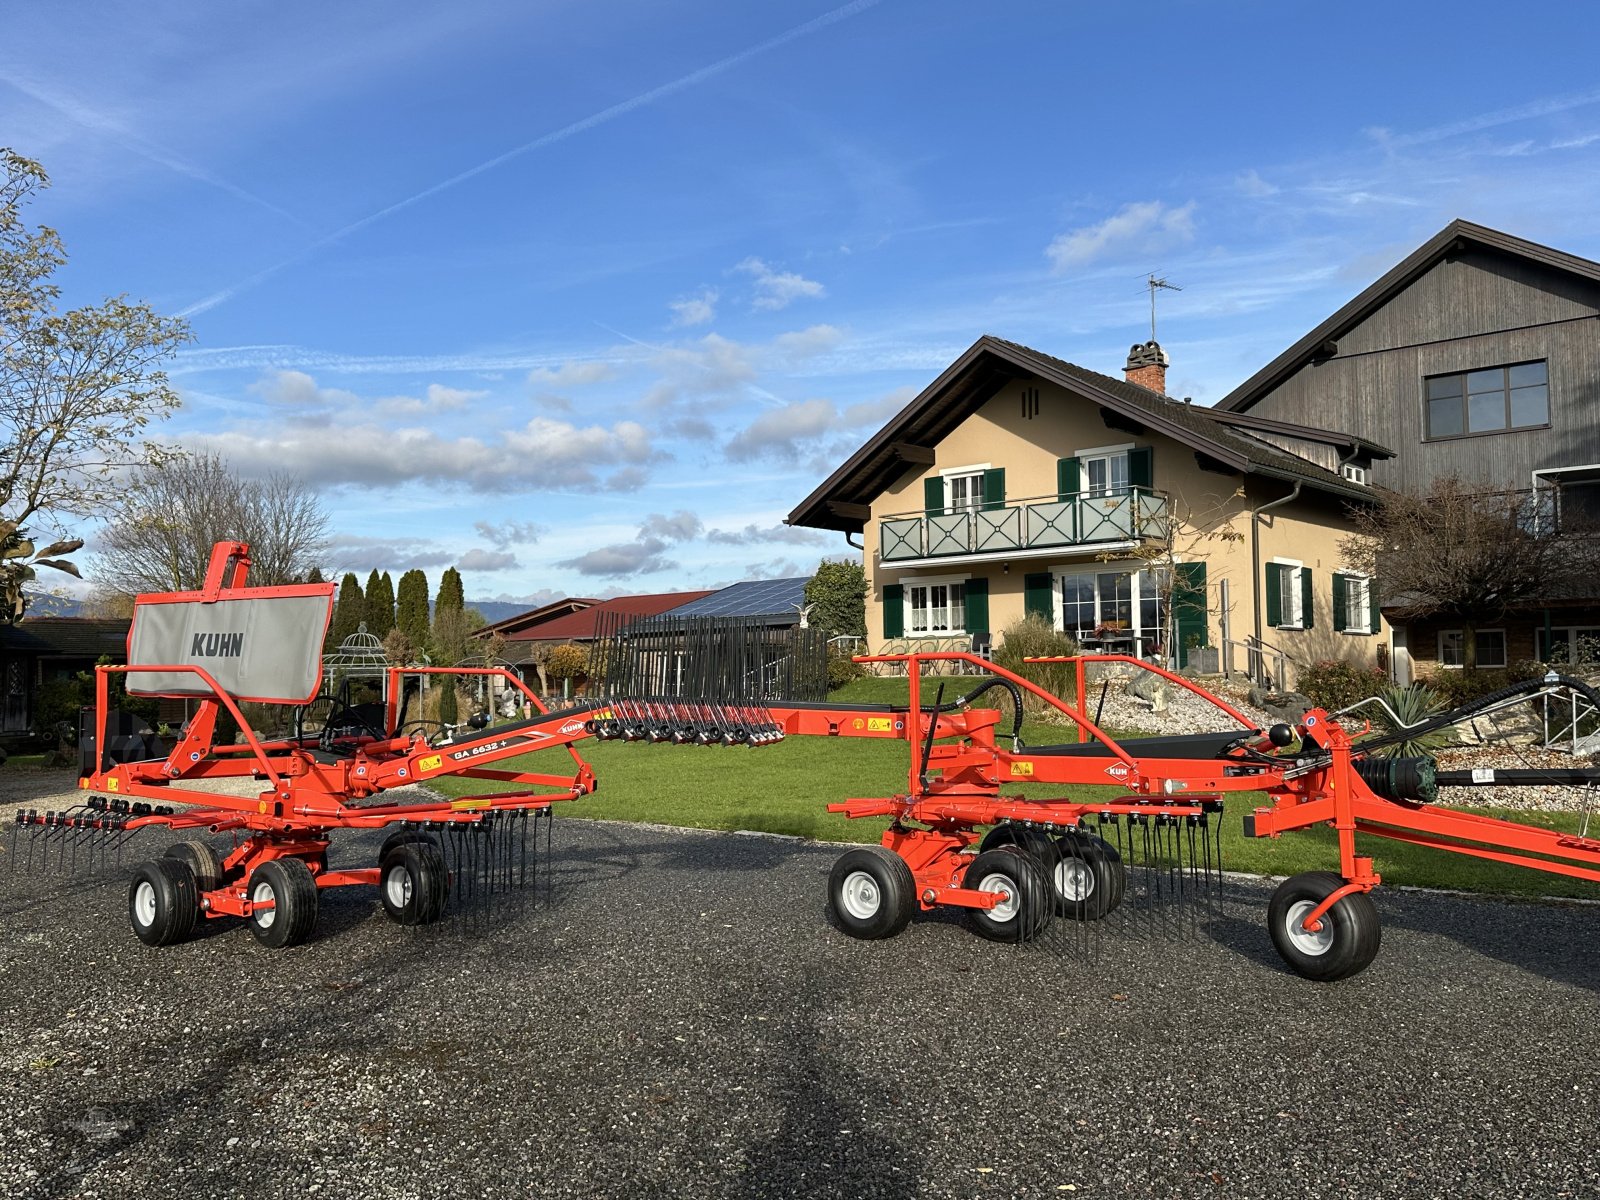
[1084, 519]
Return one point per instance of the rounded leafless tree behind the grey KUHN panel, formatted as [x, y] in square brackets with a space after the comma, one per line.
[164, 540]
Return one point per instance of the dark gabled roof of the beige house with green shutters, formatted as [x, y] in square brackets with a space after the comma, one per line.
[844, 498]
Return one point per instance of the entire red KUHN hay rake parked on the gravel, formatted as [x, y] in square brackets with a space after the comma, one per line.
[1022, 870]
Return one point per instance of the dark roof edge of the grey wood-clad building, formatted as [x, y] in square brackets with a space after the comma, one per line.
[1450, 241]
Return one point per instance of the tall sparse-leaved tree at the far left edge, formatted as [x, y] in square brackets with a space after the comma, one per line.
[78, 390]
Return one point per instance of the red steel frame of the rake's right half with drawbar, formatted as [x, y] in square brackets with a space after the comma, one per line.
[967, 769]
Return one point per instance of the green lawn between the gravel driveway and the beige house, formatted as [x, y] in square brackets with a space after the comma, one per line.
[786, 790]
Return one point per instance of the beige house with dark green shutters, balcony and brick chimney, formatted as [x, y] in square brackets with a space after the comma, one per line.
[1020, 484]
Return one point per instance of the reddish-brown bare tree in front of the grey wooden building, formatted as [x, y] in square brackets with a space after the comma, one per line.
[1471, 556]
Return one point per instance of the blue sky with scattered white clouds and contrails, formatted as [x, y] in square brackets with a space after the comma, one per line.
[585, 298]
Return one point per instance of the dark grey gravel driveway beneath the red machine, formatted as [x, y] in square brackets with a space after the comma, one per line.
[682, 1022]
